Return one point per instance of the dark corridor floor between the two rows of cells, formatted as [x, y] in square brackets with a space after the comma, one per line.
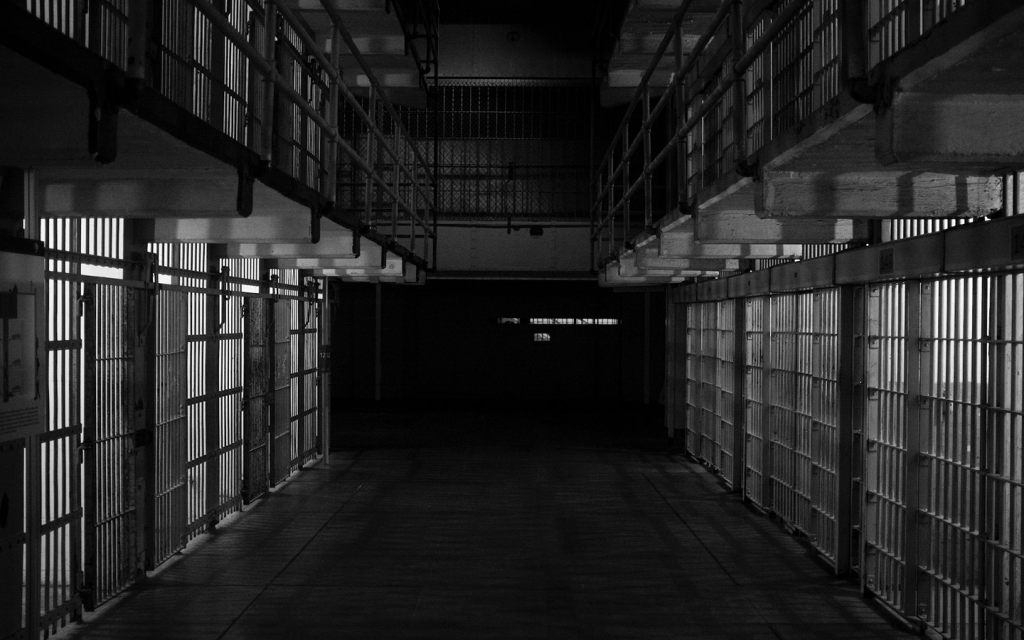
[474, 525]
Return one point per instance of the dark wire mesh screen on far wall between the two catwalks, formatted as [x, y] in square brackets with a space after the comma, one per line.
[517, 149]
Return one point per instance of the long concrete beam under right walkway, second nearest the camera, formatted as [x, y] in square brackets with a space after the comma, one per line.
[876, 195]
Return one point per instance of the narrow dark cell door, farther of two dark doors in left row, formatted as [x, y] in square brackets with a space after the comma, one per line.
[259, 400]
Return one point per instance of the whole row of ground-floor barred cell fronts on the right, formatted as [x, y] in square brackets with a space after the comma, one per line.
[931, 502]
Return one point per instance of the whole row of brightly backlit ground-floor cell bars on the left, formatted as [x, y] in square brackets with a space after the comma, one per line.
[210, 455]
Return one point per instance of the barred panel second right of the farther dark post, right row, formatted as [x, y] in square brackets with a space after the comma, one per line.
[790, 470]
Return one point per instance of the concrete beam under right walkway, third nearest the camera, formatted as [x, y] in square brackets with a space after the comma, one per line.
[746, 227]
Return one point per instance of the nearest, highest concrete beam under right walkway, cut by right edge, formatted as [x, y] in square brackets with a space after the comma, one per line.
[982, 131]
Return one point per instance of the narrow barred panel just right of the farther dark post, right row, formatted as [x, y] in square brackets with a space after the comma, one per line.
[755, 391]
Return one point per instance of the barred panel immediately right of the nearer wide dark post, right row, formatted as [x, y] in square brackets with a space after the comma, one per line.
[884, 511]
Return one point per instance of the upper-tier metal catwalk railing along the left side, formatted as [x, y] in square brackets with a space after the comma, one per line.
[275, 92]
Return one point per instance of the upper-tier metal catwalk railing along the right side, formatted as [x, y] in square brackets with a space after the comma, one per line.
[760, 71]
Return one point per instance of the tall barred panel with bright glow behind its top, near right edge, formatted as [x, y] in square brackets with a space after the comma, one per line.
[953, 446]
